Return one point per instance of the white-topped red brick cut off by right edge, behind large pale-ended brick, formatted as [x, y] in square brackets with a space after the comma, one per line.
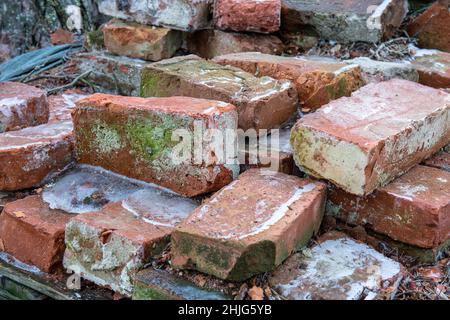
[433, 67]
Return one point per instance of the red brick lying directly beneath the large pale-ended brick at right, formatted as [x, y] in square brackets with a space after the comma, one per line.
[413, 209]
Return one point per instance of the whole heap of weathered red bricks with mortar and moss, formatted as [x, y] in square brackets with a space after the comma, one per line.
[361, 142]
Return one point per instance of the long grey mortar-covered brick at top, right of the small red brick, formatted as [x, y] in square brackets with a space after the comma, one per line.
[345, 20]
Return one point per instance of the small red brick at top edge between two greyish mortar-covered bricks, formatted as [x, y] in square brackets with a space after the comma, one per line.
[248, 15]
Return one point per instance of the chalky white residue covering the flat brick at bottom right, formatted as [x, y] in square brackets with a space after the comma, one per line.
[344, 266]
